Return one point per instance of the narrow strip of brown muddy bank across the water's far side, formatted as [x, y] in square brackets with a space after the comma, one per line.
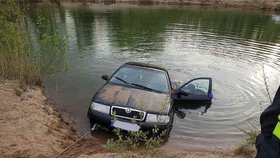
[272, 5]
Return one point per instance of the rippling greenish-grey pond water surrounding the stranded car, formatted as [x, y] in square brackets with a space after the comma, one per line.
[239, 49]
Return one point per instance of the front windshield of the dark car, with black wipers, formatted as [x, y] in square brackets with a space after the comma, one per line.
[141, 77]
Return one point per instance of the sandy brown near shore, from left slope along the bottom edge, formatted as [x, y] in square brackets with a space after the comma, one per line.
[31, 127]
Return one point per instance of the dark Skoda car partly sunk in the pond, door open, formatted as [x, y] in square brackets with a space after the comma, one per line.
[140, 96]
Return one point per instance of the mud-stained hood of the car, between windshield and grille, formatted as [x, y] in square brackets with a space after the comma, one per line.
[134, 98]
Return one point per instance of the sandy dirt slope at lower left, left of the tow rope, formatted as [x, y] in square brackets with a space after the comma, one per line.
[29, 125]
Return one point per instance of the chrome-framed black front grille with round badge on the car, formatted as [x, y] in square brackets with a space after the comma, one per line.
[128, 113]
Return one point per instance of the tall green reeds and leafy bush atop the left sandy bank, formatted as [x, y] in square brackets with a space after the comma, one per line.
[21, 57]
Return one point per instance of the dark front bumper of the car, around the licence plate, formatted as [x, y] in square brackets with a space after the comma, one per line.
[106, 120]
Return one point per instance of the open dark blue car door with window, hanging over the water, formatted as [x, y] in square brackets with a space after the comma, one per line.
[198, 89]
